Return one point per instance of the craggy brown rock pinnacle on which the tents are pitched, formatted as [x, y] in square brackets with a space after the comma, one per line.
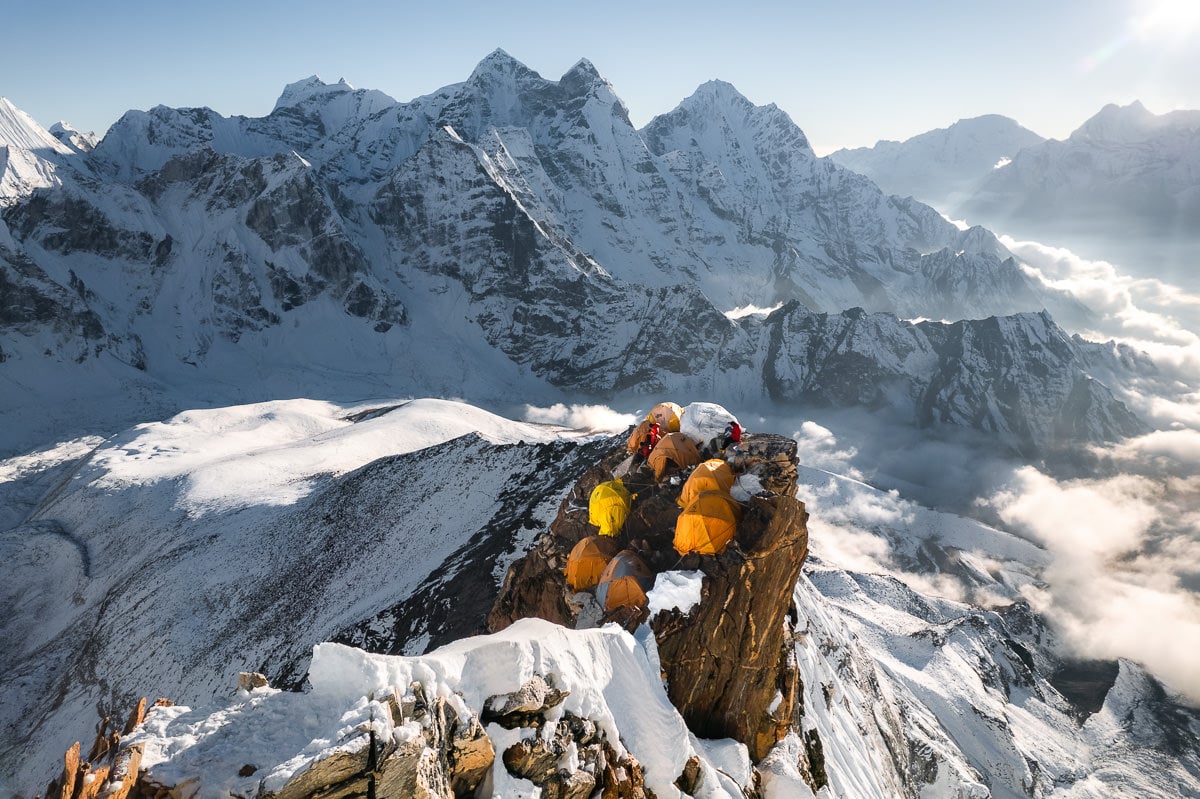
[727, 660]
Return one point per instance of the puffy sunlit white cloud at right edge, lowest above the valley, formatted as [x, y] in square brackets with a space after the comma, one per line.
[1124, 550]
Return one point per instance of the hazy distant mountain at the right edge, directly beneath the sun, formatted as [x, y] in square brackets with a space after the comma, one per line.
[1126, 172]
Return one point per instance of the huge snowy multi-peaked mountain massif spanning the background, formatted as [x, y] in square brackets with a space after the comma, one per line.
[505, 237]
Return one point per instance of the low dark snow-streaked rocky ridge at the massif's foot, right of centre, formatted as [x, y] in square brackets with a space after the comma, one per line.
[1021, 379]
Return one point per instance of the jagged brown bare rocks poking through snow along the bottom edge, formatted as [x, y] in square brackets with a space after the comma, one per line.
[428, 748]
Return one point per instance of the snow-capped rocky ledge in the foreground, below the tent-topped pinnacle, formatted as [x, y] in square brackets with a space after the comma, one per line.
[424, 728]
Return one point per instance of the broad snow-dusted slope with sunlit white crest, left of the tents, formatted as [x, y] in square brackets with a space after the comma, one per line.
[301, 500]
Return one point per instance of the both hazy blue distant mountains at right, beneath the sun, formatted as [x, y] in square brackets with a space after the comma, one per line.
[1125, 187]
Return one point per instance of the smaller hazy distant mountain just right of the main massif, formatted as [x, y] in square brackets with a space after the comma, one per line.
[941, 167]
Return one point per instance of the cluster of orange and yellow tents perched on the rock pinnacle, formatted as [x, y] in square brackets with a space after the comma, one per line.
[671, 440]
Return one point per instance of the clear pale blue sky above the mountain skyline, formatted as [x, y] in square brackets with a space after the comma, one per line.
[849, 74]
